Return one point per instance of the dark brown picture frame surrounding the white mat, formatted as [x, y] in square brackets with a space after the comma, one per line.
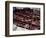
[7, 18]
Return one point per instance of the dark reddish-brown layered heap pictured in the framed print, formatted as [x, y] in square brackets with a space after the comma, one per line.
[27, 18]
